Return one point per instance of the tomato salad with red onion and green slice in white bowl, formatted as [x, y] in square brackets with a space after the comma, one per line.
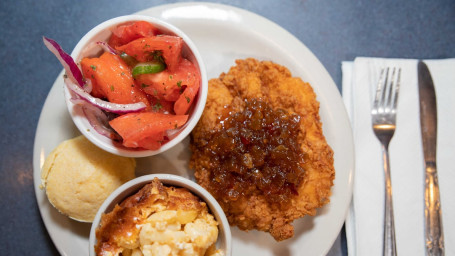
[139, 90]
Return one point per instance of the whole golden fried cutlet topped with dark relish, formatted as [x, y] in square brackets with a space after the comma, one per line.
[259, 148]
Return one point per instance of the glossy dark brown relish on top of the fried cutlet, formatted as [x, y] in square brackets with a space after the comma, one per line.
[256, 151]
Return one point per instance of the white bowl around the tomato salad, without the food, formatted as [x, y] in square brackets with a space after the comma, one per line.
[85, 48]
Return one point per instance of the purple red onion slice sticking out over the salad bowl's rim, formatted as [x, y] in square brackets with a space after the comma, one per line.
[72, 70]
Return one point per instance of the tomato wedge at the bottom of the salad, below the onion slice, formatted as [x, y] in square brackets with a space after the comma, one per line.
[145, 129]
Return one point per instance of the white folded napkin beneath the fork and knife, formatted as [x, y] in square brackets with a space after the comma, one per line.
[364, 223]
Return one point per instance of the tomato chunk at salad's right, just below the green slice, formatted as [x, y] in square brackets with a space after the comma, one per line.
[169, 85]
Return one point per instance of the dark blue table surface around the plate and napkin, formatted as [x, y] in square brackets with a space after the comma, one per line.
[333, 30]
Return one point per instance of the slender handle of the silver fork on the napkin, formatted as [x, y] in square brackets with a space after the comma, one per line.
[389, 226]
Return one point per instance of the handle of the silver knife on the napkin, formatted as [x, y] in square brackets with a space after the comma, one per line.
[433, 220]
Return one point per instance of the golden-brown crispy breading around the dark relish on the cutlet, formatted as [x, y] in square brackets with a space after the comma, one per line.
[274, 84]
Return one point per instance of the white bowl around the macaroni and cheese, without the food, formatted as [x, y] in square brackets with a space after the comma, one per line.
[132, 186]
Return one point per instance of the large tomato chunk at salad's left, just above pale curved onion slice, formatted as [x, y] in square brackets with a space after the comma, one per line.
[111, 78]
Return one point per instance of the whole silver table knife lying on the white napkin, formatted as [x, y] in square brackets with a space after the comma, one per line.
[434, 238]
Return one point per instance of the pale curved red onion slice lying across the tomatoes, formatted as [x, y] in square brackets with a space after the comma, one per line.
[105, 105]
